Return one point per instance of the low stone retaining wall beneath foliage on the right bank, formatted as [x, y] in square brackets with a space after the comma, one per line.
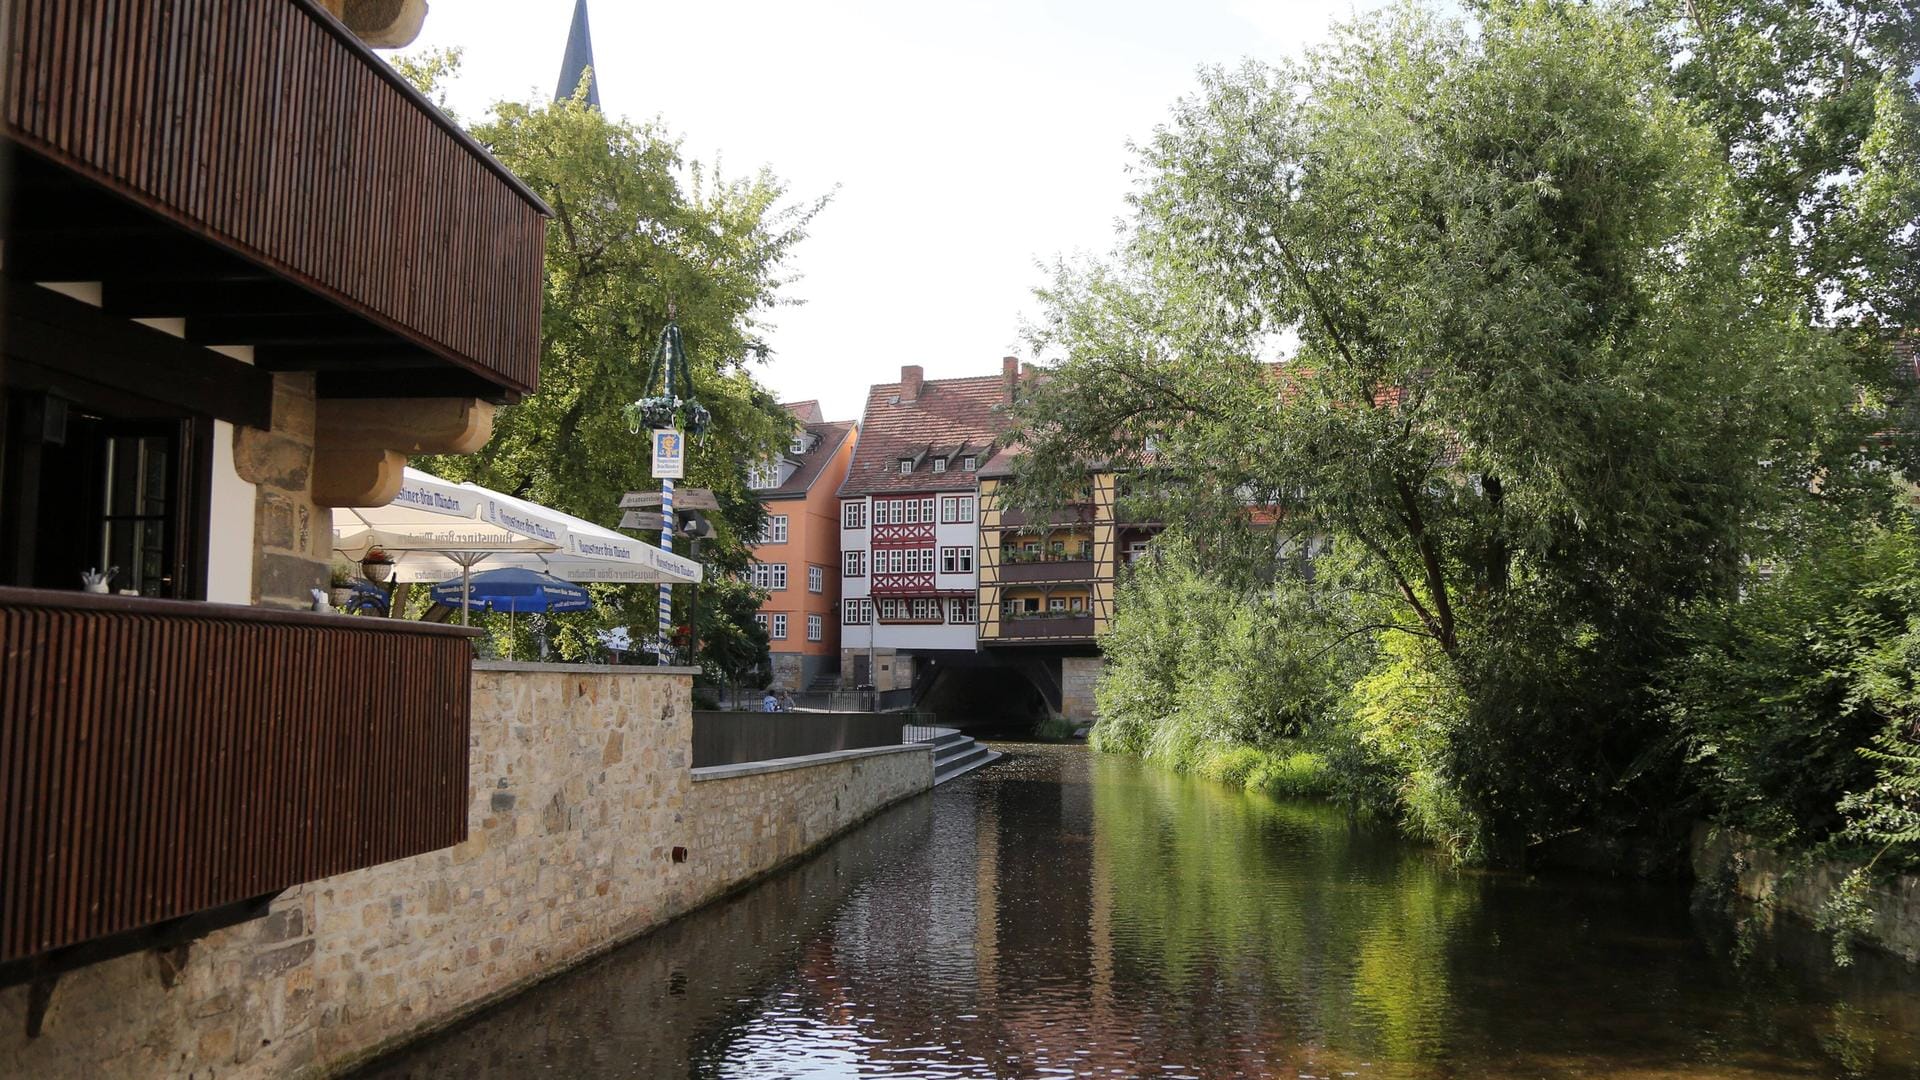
[1800, 889]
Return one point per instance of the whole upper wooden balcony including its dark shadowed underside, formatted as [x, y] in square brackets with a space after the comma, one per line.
[251, 168]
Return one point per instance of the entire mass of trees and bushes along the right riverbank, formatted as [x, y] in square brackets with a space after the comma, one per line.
[1527, 401]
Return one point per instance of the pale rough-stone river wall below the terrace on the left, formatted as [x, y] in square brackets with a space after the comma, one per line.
[581, 793]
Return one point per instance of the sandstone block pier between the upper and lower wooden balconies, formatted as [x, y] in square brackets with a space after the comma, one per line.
[293, 535]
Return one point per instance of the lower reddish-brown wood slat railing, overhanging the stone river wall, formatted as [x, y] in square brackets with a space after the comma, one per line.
[166, 758]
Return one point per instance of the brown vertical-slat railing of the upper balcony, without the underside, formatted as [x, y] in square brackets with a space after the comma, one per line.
[270, 130]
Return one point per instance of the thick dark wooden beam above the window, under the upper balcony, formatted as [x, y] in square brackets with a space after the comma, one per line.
[82, 341]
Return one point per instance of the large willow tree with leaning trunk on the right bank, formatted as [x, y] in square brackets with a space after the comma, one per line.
[1543, 389]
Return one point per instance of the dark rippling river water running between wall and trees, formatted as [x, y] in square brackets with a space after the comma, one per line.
[1065, 914]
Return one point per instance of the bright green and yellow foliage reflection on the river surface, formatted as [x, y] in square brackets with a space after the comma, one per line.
[1345, 929]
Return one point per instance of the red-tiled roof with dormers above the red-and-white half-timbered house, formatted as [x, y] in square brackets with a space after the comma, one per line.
[948, 420]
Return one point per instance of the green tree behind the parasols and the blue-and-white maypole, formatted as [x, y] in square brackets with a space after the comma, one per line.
[638, 235]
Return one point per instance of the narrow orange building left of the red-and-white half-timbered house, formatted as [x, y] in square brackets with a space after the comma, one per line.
[798, 558]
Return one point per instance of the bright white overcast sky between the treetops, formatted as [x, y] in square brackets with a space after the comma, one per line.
[965, 145]
